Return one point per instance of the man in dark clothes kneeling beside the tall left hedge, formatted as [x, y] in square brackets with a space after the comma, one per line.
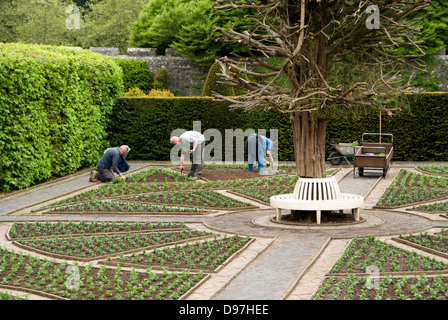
[110, 162]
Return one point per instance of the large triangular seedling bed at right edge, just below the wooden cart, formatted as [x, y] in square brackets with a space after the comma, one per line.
[410, 187]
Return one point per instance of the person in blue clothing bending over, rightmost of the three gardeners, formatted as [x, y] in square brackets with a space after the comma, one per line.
[255, 147]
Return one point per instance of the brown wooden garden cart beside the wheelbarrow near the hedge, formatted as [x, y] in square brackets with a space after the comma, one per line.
[374, 156]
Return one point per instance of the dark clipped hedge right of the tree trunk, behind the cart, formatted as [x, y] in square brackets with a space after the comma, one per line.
[419, 134]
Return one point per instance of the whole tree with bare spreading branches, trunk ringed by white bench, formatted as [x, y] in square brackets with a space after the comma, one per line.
[313, 36]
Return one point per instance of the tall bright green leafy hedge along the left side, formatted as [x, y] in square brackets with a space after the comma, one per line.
[54, 108]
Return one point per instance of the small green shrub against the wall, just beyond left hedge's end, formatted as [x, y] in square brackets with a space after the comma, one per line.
[135, 74]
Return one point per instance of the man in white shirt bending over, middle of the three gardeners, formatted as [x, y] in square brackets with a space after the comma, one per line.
[196, 141]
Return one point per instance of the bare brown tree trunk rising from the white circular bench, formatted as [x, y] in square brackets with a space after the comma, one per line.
[309, 143]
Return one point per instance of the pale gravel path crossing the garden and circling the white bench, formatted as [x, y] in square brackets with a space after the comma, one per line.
[274, 272]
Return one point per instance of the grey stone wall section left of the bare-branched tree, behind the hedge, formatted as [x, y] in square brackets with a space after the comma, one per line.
[185, 78]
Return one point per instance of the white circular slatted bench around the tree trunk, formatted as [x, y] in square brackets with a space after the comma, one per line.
[317, 195]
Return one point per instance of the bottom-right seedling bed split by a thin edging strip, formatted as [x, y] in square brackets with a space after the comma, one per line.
[384, 263]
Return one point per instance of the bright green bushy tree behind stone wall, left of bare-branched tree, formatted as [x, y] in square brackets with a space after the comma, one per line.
[187, 26]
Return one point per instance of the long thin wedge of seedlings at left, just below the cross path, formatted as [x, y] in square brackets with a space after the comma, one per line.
[48, 228]
